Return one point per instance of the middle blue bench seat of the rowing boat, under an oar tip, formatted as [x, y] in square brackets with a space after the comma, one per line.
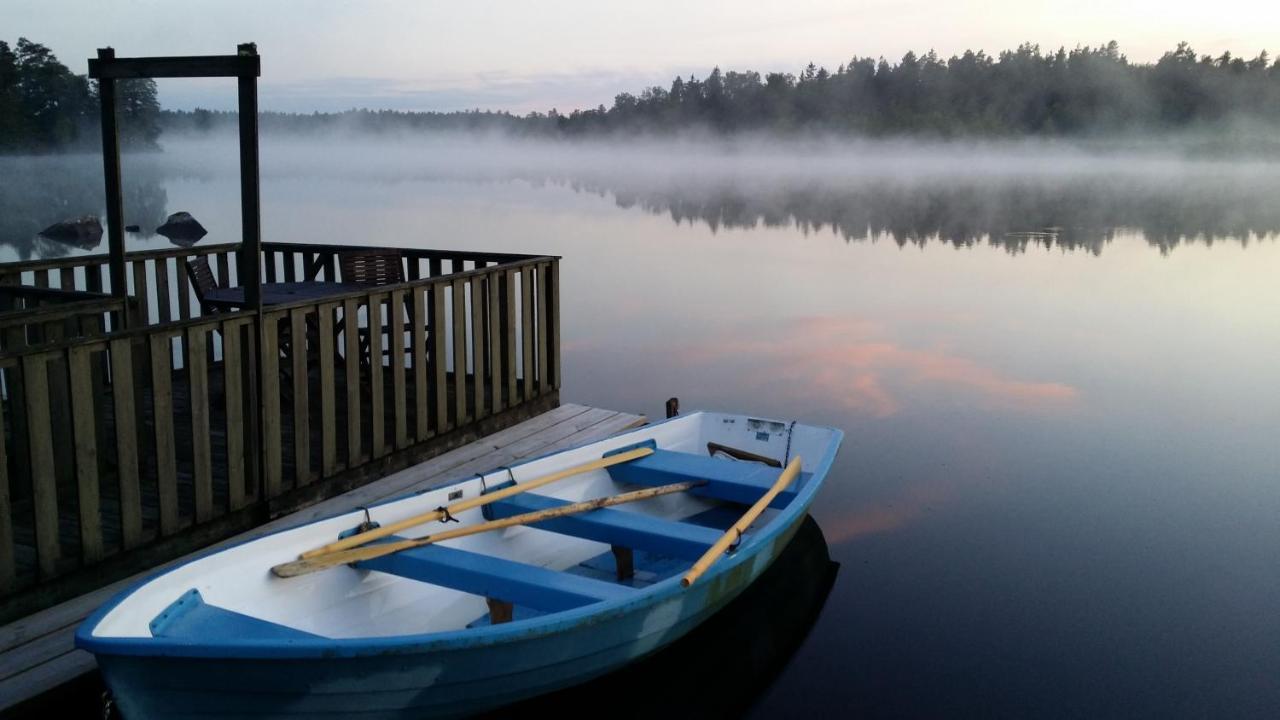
[615, 527]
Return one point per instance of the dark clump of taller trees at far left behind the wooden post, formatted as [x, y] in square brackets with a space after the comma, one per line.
[45, 107]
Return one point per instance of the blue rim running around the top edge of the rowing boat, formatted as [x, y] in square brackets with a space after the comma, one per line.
[464, 639]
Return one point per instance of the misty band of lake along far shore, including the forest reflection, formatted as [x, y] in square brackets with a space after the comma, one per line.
[1014, 194]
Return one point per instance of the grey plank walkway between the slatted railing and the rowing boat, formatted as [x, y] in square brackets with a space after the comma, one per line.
[38, 654]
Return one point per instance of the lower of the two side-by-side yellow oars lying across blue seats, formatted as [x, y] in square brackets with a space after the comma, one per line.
[369, 553]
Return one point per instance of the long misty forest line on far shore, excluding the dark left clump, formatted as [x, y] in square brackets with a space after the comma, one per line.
[1017, 93]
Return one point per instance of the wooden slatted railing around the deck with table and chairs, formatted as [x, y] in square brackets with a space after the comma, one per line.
[118, 443]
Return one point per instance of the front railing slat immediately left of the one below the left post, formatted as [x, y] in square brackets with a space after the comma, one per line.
[85, 432]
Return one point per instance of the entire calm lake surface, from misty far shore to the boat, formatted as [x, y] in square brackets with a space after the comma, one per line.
[1057, 370]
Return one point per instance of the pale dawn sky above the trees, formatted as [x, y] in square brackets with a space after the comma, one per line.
[565, 54]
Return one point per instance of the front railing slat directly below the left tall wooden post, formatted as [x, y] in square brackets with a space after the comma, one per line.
[127, 443]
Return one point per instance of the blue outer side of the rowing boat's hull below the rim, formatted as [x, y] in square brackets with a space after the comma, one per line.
[438, 682]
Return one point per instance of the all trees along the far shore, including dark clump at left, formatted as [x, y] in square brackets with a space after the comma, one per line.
[1023, 93]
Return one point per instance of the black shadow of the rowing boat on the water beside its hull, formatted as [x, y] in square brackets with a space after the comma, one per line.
[726, 664]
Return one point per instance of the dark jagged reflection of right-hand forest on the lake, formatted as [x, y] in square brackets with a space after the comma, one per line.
[1016, 213]
